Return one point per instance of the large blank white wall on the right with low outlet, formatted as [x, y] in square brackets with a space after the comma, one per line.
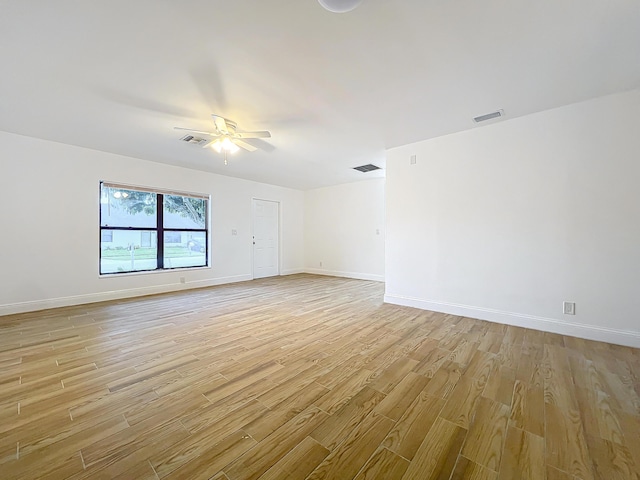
[505, 222]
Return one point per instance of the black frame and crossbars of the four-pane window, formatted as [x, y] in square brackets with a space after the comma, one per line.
[159, 228]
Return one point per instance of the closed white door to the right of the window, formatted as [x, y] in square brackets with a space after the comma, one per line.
[265, 238]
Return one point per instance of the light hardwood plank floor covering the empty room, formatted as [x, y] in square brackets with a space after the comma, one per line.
[307, 377]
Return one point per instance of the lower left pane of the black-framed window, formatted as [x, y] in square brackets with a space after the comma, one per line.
[129, 251]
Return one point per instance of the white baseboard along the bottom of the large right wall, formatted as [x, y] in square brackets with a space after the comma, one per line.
[590, 332]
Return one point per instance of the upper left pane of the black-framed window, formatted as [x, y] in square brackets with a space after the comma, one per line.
[127, 208]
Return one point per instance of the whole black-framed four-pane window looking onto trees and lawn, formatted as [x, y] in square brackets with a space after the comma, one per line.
[147, 229]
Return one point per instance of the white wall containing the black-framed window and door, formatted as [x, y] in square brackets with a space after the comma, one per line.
[49, 235]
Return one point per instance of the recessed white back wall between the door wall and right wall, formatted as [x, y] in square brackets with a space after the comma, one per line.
[344, 229]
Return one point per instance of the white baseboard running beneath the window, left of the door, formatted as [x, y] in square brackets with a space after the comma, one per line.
[32, 306]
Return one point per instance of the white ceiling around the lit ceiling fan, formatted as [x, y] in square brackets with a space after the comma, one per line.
[335, 90]
